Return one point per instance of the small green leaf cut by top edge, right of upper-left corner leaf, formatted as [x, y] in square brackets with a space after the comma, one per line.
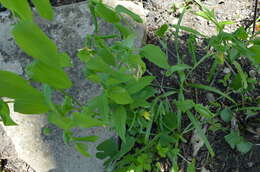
[44, 8]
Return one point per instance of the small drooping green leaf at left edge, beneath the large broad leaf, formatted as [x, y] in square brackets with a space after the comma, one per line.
[5, 114]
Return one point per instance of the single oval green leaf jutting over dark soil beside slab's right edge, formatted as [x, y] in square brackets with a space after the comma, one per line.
[155, 55]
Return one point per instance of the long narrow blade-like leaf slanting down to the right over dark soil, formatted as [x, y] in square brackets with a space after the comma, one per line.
[201, 134]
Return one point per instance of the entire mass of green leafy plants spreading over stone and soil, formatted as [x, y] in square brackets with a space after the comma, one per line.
[147, 120]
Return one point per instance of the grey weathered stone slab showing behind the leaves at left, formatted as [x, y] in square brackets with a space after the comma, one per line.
[26, 142]
